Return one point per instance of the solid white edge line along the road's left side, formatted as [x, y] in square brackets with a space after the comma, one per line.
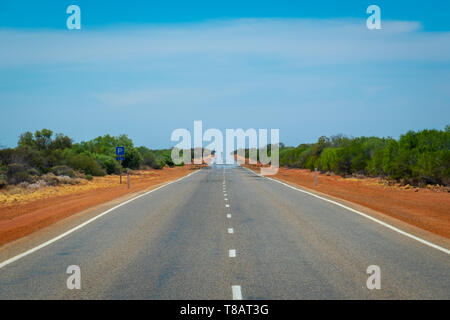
[42, 245]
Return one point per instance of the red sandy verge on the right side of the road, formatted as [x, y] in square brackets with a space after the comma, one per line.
[424, 208]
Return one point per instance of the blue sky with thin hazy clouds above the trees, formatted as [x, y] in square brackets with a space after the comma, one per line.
[145, 68]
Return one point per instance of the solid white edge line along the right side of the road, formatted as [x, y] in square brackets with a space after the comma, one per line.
[406, 234]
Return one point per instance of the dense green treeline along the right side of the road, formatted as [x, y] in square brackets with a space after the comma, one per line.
[416, 158]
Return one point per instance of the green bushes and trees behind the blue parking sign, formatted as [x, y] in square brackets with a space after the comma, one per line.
[44, 153]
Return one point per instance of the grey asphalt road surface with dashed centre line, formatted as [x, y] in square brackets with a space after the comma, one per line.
[174, 244]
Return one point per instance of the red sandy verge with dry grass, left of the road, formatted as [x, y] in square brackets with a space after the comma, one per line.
[24, 217]
